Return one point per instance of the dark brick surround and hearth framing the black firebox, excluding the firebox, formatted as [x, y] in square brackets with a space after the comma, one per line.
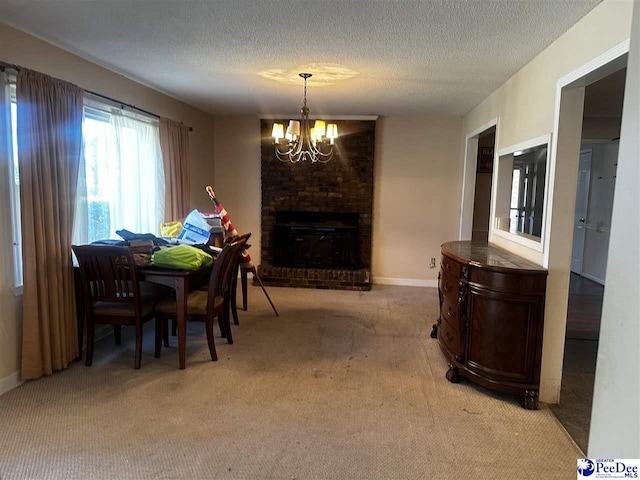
[344, 184]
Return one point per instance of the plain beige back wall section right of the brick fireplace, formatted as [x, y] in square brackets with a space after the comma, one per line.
[416, 201]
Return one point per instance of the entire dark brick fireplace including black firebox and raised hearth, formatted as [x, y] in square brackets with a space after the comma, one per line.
[317, 218]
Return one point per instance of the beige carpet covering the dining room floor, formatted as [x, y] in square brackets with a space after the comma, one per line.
[343, 385]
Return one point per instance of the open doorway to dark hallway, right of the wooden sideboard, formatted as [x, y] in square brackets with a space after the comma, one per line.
[601, 120]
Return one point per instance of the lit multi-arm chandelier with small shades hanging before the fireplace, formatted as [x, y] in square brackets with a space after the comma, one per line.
[303, 142]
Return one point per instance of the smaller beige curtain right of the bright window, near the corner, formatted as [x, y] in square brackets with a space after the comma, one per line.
[174, 142]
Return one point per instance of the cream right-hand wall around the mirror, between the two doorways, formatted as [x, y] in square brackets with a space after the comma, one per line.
[525, 106]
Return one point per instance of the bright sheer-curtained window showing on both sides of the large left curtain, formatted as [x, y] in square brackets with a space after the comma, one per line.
[120, 180]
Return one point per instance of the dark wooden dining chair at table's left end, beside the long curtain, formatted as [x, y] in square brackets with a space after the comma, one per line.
[112, 294]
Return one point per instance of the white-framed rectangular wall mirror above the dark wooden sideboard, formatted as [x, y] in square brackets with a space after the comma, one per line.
[522, 178]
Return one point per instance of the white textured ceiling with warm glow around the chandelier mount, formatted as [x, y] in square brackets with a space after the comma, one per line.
[409, 57]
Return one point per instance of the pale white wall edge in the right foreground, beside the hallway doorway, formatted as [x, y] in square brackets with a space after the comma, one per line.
[615, 416]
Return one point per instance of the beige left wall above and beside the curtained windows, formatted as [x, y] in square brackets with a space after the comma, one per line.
[27, 51]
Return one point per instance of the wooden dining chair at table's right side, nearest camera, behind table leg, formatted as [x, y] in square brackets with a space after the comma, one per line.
[204, 305]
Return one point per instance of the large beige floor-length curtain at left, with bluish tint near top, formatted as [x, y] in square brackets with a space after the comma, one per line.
[49, 150]
